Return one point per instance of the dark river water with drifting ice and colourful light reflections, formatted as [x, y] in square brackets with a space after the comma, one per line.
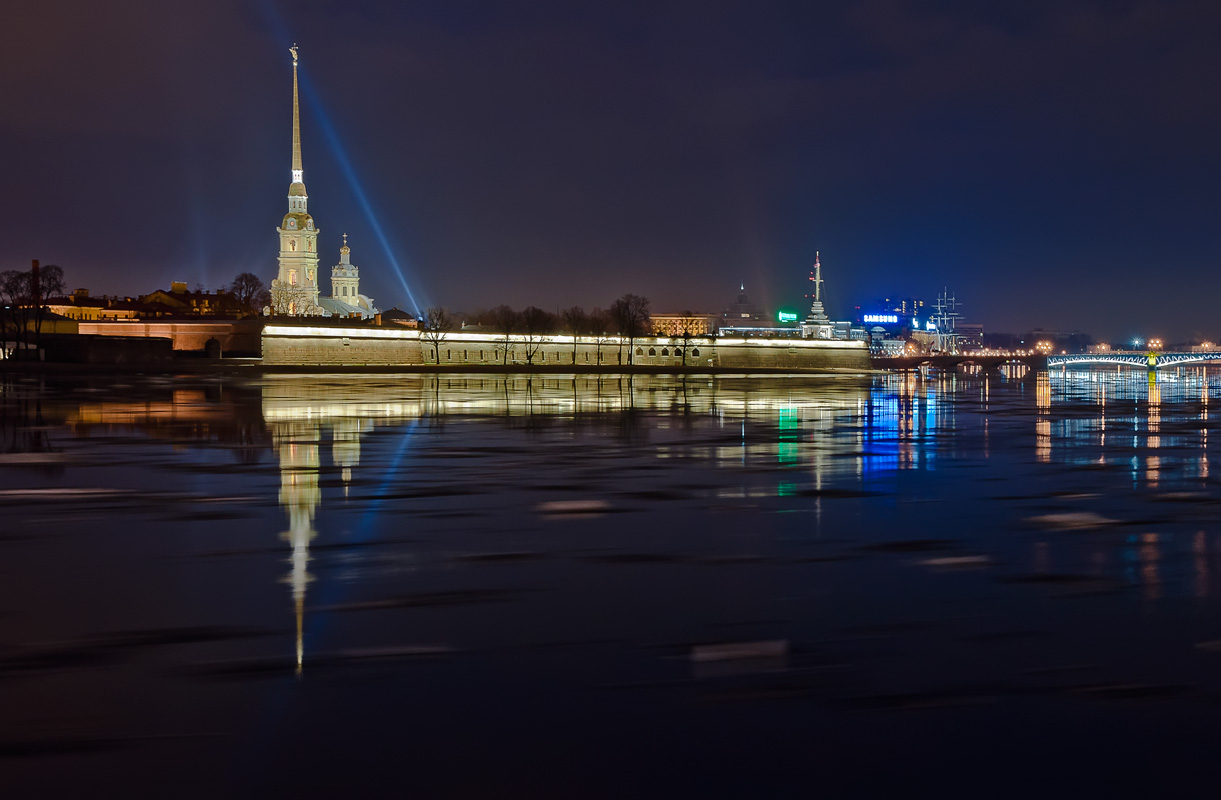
[465, 586]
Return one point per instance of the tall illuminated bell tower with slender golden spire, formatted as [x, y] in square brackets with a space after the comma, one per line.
[295, 291]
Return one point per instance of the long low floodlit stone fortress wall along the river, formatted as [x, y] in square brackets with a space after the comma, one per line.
[292, 345]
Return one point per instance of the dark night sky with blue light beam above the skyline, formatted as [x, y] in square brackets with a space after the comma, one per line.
[1054, 164]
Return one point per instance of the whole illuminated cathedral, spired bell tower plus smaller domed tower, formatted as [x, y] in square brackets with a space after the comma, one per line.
[296, 290]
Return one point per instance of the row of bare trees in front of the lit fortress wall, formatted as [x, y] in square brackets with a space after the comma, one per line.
[531, 328]
